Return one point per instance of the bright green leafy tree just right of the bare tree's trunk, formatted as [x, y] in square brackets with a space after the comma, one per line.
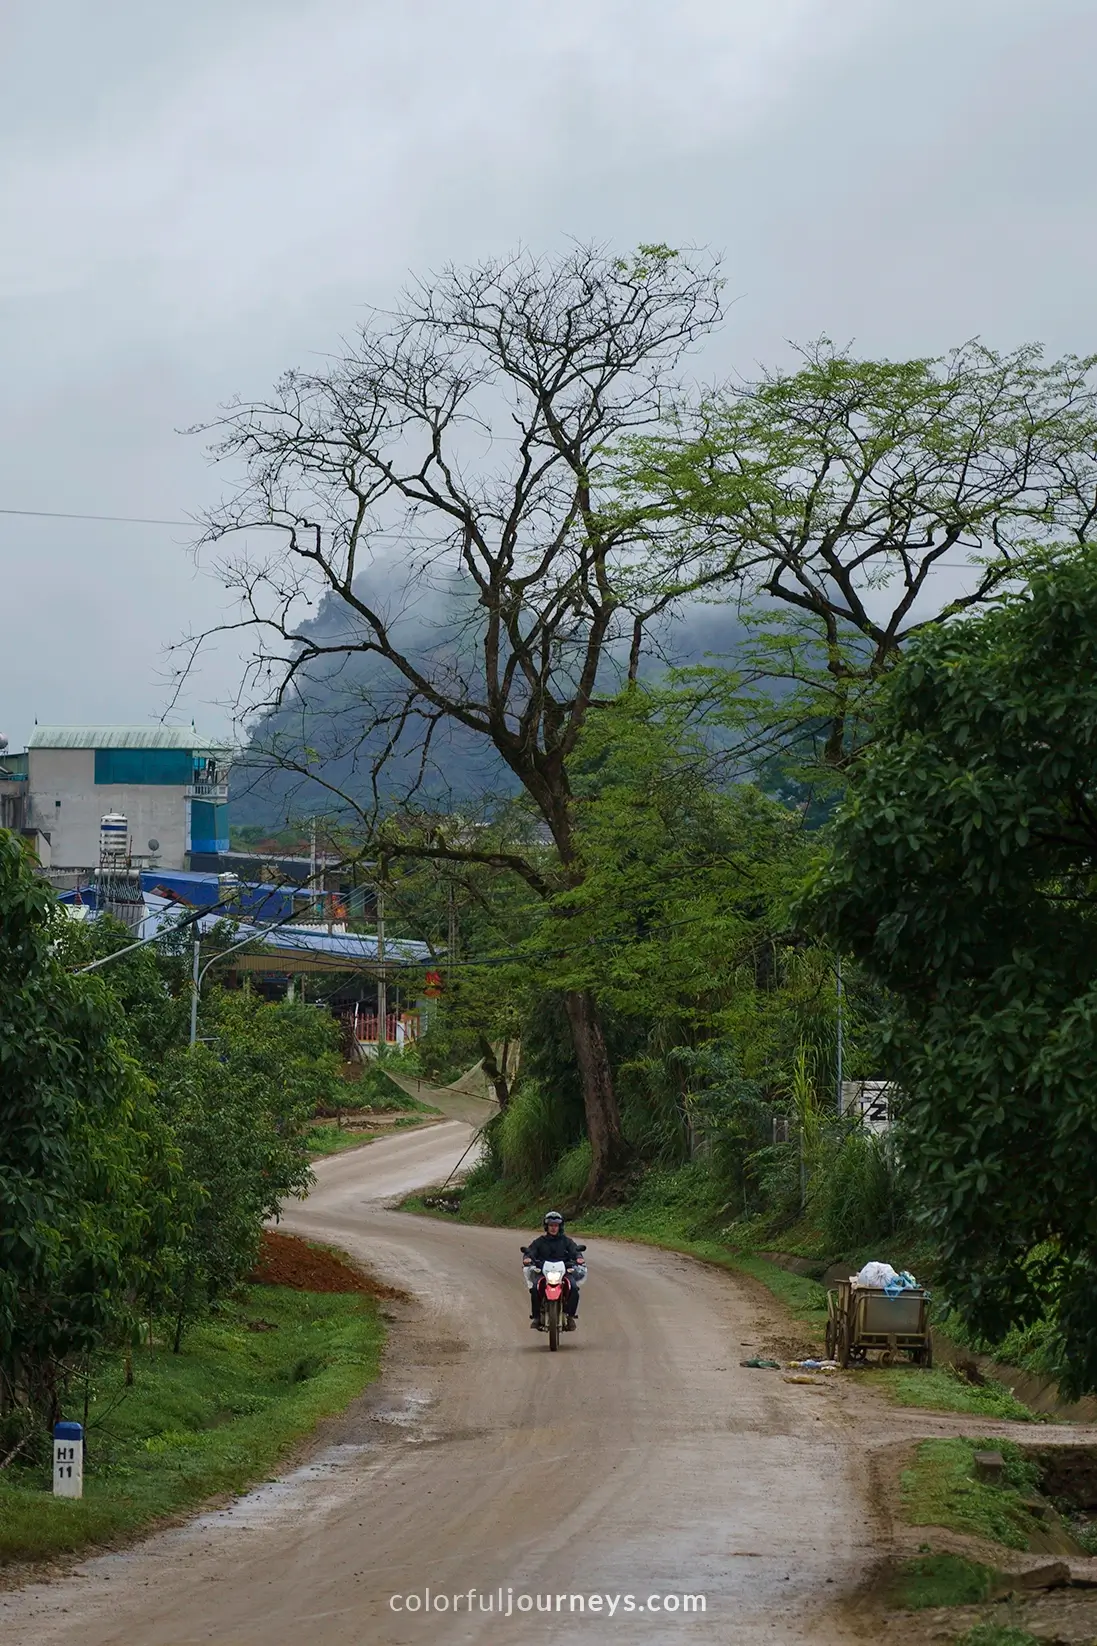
[717, 1003]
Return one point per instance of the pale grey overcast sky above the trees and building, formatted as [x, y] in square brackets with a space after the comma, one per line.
[197, 197]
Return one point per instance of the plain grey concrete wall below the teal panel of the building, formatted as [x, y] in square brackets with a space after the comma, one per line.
[67, 804]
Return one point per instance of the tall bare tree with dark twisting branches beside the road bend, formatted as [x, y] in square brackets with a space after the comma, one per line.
[446, 486]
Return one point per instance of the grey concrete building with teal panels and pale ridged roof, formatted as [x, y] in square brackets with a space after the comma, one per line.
[166, 781]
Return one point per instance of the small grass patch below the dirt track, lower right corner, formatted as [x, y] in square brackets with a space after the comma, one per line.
[941, 1490]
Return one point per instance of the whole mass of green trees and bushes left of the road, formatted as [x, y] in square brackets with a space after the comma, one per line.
[136, 1173]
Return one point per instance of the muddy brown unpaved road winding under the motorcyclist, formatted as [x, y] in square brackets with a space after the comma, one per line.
[640, 1461]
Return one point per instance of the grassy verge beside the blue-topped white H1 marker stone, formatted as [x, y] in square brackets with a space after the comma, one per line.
[213, 1420]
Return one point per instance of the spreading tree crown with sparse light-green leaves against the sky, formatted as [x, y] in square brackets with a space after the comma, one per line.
[839, 495]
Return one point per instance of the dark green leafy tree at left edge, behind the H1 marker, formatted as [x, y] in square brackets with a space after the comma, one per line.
[86, 1166]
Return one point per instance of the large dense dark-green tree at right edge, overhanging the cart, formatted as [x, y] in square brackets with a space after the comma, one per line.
[964, 876]
